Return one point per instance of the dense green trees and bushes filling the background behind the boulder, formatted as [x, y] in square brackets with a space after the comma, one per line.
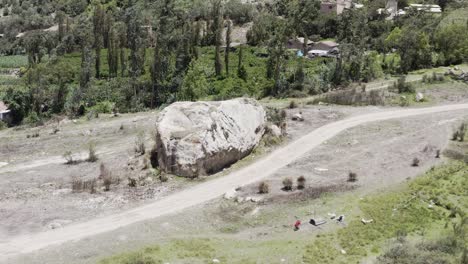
[145, 54]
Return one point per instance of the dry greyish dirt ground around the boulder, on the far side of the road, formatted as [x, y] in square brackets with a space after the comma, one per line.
[36, 184]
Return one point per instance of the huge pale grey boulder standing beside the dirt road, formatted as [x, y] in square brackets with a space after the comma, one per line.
[199, 138]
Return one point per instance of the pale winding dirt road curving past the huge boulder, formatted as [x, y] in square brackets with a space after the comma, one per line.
[209, 190]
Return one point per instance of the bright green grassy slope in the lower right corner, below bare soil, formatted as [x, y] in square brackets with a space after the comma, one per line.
[393, 212]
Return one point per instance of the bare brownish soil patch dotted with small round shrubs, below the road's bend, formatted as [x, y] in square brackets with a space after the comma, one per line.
[378, 155]
